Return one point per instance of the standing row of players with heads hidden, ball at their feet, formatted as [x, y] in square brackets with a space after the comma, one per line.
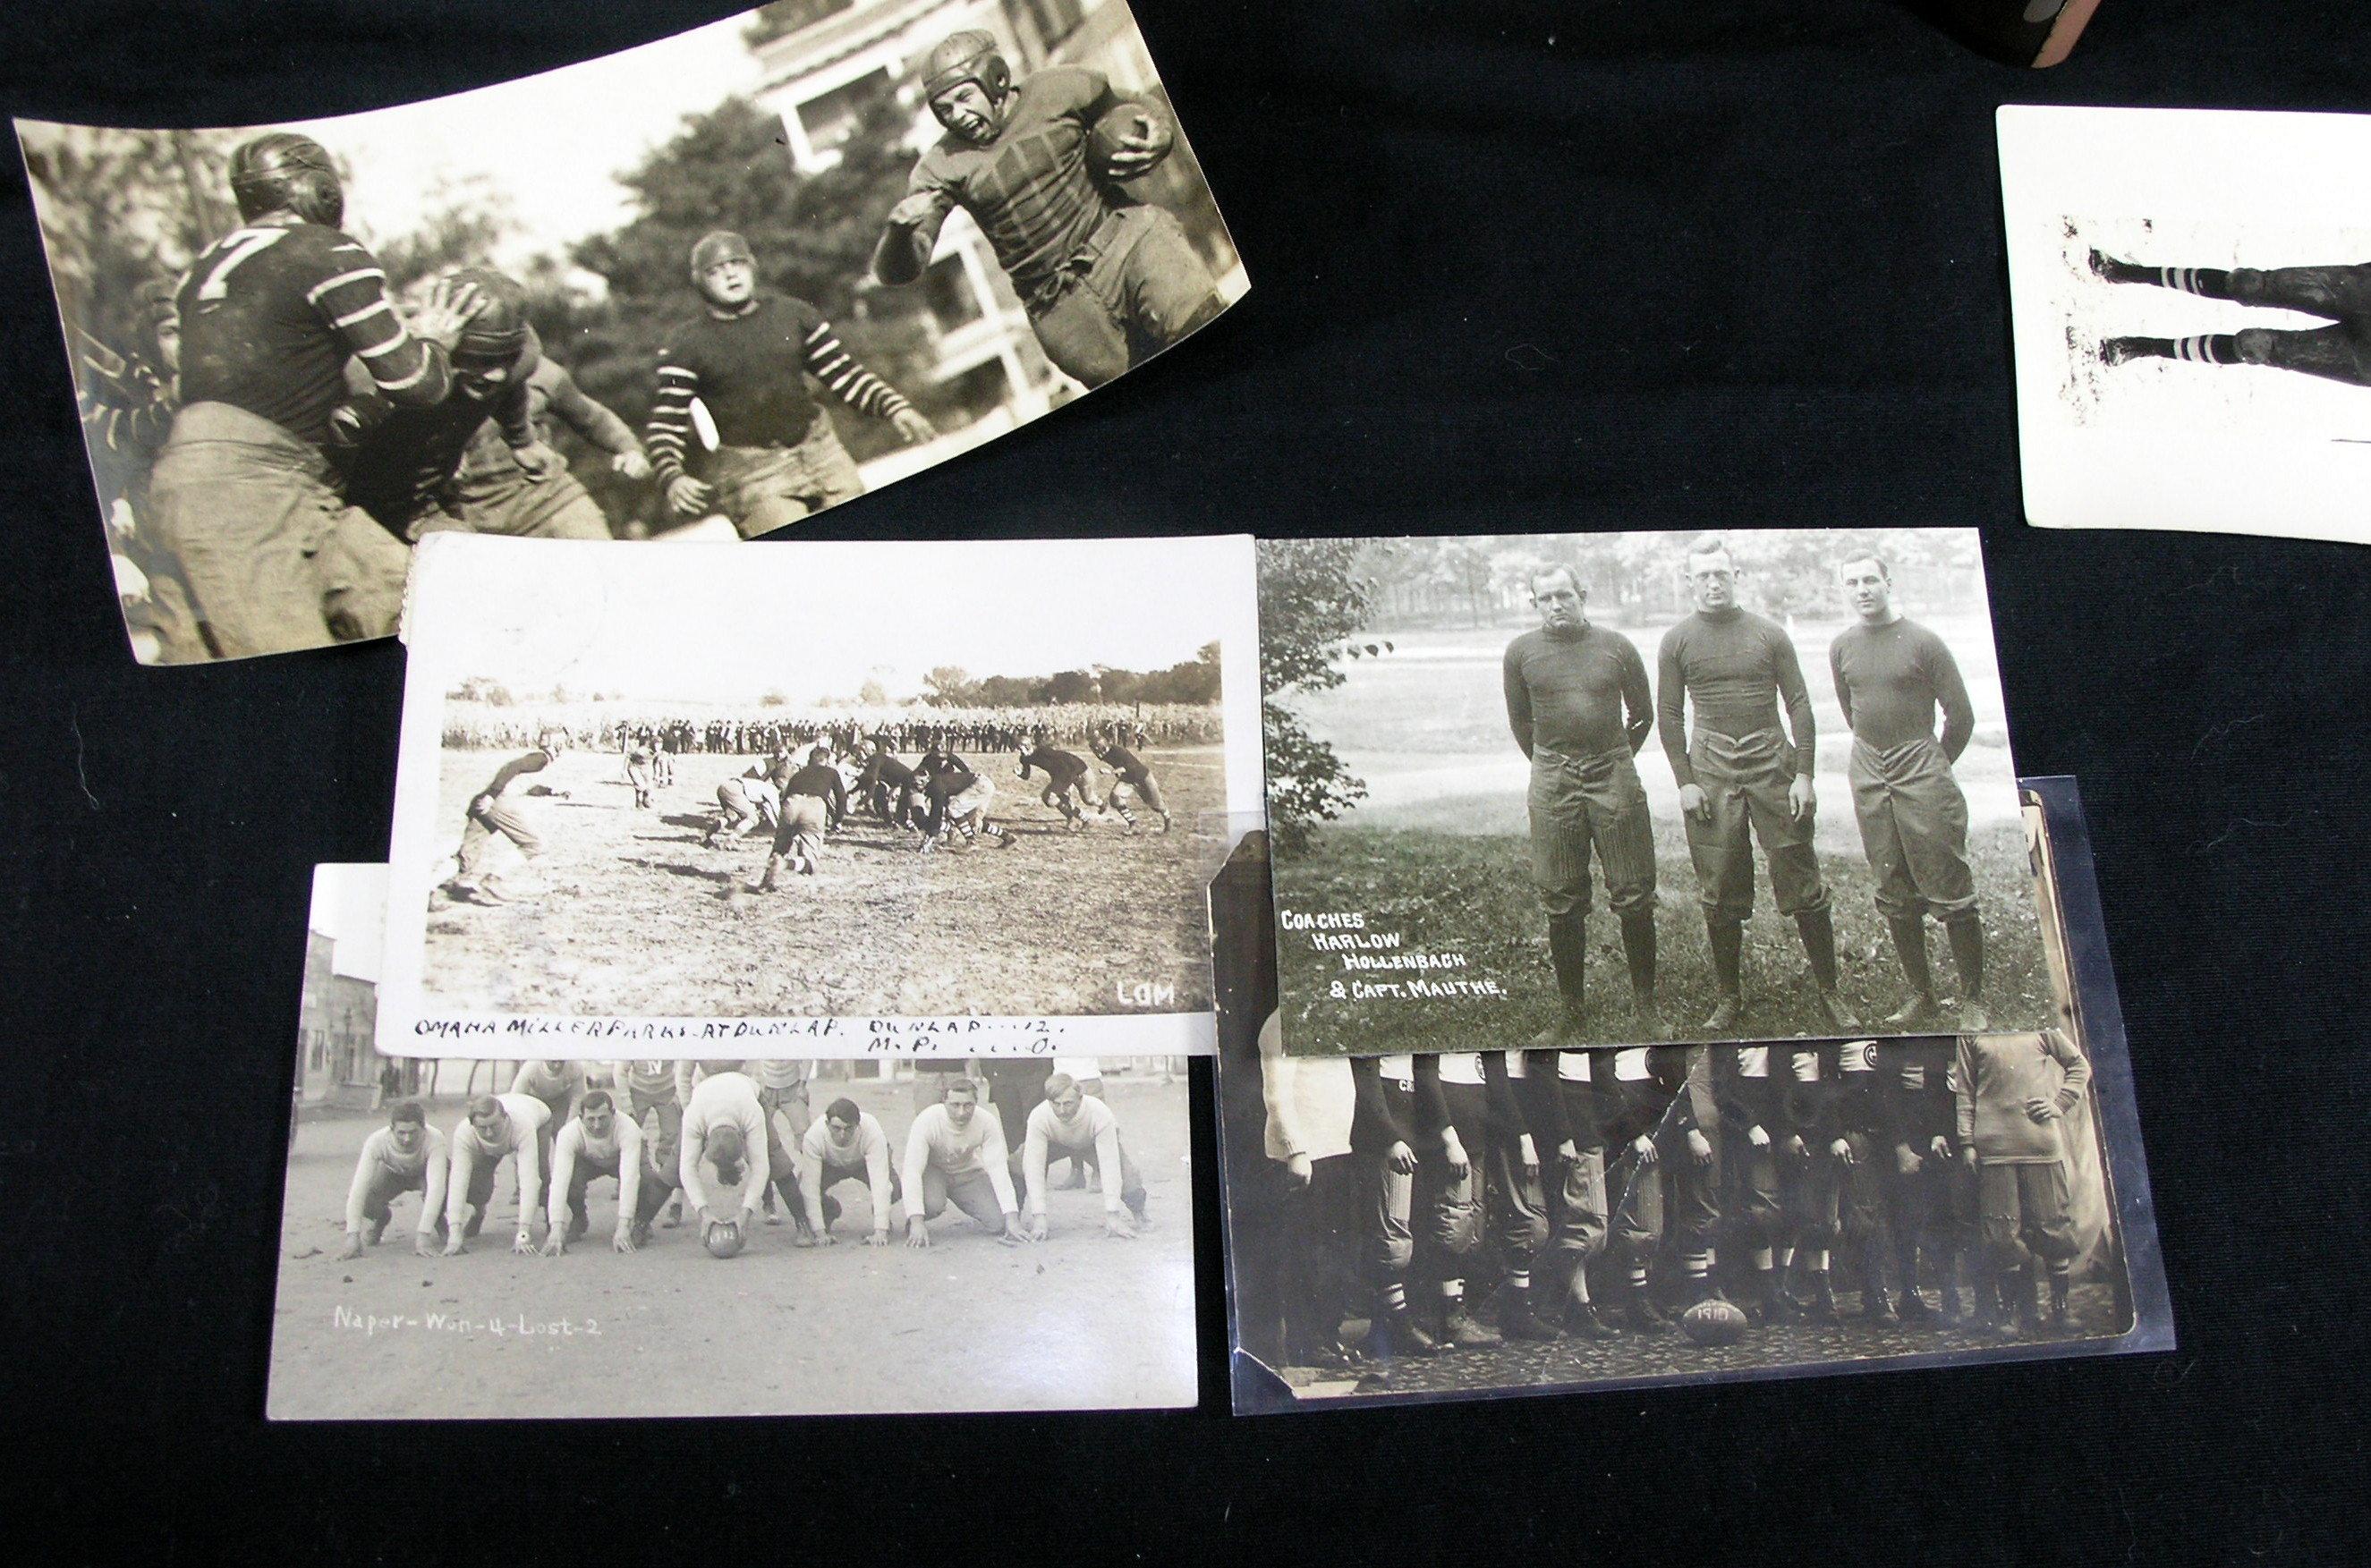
[1962, 1155]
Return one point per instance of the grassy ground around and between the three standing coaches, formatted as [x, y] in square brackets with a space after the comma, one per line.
[1440, 856]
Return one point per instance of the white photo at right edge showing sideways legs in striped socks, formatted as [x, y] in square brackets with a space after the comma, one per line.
[2192, 302]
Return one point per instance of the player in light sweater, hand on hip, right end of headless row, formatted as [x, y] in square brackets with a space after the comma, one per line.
[2014, 1091]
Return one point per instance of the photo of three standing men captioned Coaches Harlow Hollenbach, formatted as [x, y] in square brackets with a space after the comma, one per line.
[1642, 788]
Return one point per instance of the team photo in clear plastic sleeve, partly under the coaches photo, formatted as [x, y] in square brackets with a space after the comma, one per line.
[1464, 1226]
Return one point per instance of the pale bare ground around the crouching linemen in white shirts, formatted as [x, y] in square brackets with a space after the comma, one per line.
[1078, 1320]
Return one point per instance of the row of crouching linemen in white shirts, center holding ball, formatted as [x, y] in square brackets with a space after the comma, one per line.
[694, 1133]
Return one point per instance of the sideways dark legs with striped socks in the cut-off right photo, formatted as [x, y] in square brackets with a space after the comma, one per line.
[2339, 295]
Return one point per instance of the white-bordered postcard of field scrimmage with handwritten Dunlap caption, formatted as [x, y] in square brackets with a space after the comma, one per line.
[845, 799]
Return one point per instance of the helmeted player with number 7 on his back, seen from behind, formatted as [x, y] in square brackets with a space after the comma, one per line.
[269, 316]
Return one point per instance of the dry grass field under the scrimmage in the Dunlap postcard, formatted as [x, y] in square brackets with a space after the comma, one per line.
[634, 918]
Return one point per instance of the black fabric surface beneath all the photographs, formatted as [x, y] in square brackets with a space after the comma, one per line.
[1516, 266]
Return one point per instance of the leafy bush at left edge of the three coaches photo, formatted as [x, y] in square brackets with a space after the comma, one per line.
[1310, 608]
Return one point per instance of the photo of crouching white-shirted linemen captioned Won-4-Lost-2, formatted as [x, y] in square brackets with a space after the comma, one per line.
[729, 1238]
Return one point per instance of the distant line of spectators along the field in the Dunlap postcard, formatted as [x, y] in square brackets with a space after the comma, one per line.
[905, 728]
